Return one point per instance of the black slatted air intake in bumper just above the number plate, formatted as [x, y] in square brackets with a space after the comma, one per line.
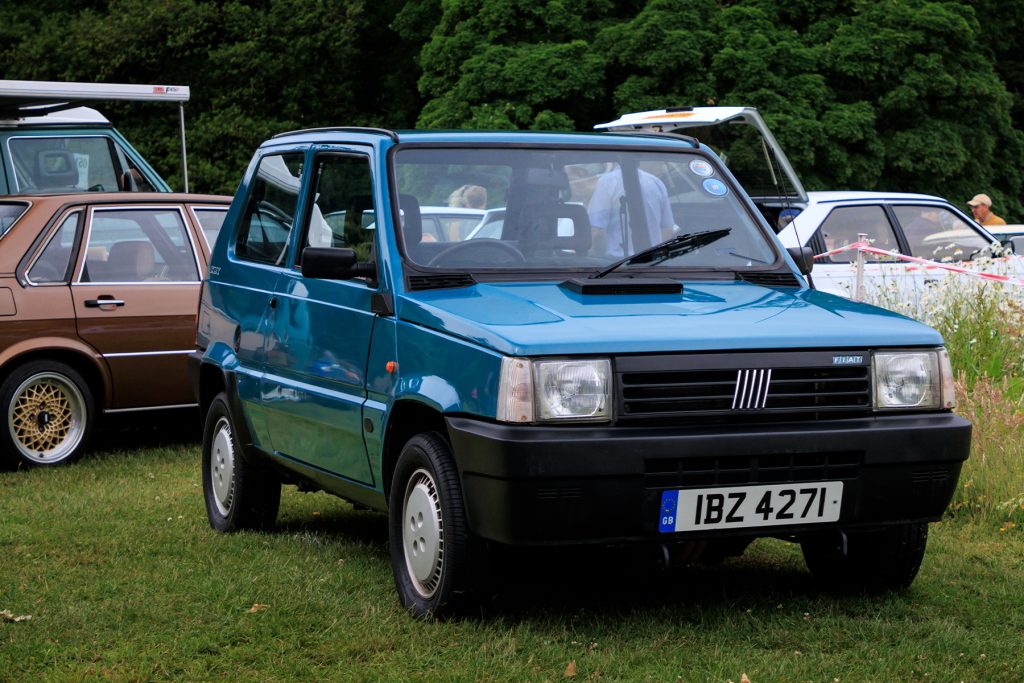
[743, 471]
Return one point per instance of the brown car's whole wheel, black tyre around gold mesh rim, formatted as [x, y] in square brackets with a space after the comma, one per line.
[50, 413]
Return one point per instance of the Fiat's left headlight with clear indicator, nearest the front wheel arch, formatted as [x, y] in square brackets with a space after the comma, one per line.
[554, 391]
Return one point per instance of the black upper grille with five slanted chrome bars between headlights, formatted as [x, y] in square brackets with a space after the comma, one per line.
[743, 388]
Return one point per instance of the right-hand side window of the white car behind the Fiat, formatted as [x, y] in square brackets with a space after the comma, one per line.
[940, 235]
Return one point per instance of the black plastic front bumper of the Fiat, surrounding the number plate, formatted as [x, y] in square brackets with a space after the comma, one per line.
[539, 486]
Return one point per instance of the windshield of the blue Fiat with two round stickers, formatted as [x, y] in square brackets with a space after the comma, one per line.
[571, 209]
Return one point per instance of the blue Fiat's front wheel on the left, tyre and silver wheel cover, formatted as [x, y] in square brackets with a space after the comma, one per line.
[429, 536]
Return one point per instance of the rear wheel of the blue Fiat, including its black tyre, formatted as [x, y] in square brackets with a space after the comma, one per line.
[239, 495]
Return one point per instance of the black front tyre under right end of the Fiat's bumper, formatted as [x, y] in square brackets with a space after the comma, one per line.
[874, 562]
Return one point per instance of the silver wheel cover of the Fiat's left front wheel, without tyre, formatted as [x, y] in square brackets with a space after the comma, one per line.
[423, 533]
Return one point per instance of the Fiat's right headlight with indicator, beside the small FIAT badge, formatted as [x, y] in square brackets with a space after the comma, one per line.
[921, 380]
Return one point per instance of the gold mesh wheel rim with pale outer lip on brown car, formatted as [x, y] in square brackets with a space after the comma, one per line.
[47, 418]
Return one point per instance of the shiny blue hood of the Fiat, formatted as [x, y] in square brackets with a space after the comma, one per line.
[543, 319]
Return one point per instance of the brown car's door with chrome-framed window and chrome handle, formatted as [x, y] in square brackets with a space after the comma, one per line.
[137, 293]
